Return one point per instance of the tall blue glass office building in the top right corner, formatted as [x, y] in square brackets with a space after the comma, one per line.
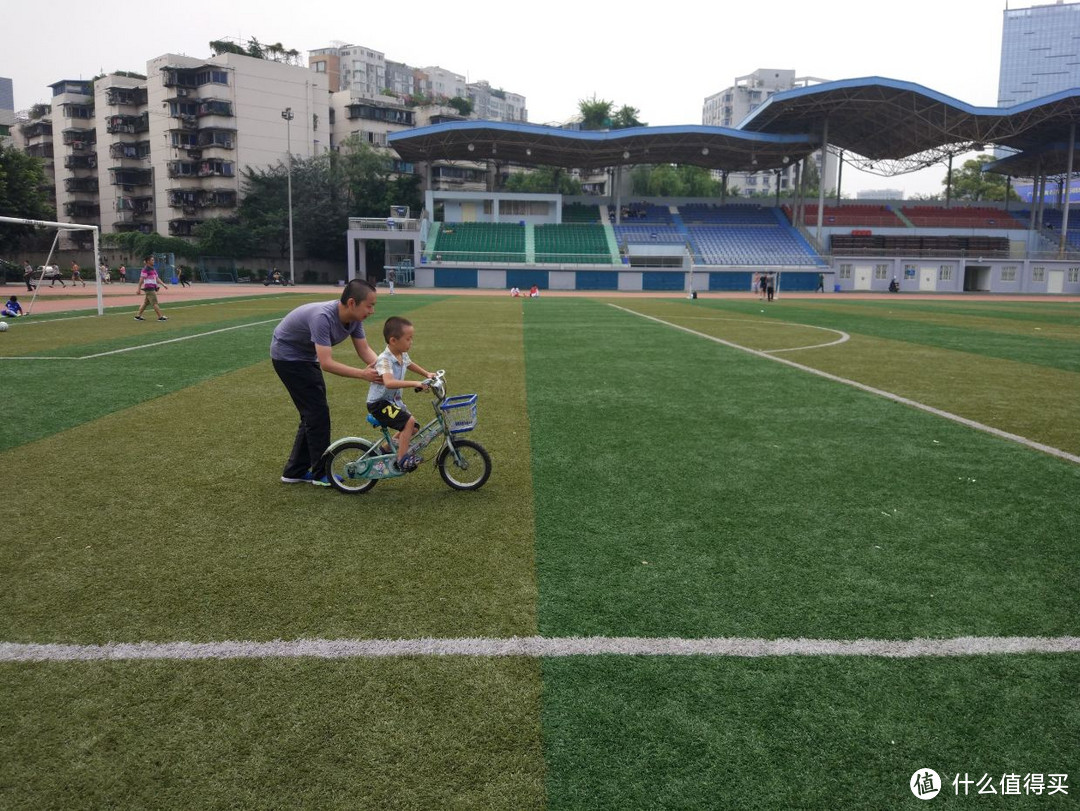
[1041, 52]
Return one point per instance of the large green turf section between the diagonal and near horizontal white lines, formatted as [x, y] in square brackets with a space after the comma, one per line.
[685, 489]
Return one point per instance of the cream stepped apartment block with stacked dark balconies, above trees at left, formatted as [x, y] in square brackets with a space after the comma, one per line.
[166, 152]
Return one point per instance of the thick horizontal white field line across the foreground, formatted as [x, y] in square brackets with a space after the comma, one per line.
[541, 647]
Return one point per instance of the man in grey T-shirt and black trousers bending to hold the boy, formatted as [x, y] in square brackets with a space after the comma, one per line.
[302, 352]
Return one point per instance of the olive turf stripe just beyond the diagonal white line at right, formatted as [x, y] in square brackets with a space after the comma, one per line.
[1032, 401]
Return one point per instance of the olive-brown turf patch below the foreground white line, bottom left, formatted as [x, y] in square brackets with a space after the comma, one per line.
[301, 734]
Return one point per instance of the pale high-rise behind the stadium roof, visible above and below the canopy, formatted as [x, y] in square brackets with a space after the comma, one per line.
[732, 105]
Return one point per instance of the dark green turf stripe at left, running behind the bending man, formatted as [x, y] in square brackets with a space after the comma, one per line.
[55, 396]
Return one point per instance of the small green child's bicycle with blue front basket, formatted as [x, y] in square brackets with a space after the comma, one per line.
[356, 465]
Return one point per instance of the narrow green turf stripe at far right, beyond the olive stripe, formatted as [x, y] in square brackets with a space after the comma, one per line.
[1051, 353]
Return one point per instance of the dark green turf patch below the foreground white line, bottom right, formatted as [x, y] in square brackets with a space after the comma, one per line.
[822, 734]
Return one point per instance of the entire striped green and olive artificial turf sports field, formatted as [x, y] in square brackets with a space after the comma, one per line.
[649, 483]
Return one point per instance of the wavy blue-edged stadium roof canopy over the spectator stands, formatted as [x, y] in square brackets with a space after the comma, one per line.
[884, 126]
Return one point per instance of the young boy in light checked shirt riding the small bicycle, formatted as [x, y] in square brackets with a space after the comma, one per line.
[385, 399]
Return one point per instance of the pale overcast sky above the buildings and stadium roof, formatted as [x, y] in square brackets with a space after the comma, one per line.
[663, 62]
